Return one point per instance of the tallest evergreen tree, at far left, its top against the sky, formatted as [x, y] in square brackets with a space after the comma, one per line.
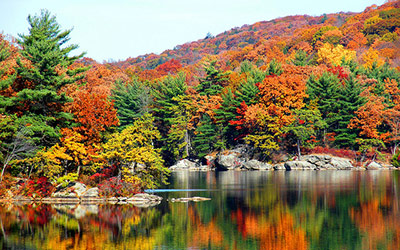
[41, 72]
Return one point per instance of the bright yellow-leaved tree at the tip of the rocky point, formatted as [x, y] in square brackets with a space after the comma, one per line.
[133, 151]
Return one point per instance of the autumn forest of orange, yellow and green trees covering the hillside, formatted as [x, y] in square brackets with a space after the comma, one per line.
[289, 86]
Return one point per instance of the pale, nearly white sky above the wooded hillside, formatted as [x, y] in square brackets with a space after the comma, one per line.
[112, 30]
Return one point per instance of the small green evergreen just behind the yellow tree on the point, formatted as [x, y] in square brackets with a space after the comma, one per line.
[131, 99]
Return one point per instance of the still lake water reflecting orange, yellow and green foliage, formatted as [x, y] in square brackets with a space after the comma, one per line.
[300, 210]
